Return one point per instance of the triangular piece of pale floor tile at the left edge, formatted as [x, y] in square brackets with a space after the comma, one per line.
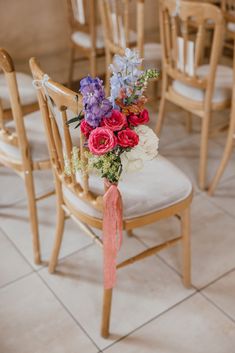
[12, 264]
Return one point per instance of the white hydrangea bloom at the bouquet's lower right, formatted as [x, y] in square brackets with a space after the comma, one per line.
[146, 150]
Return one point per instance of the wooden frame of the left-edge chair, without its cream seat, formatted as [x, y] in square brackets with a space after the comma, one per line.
[26, 165]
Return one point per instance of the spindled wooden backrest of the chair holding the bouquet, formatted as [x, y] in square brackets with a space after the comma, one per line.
[57, 106]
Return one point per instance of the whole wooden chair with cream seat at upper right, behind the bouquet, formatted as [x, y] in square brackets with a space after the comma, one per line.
[198, 89]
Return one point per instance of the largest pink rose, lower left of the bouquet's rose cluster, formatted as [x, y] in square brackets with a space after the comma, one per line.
[101, 140]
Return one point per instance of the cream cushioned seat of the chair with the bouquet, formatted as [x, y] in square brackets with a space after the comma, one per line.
[159, 185]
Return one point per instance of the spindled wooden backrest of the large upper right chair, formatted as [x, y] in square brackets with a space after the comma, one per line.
[183, 26]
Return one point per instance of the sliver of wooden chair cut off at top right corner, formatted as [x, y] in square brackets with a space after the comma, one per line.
[228, 9]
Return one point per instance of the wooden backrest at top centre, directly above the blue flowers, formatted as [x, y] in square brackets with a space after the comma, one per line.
[117, 22]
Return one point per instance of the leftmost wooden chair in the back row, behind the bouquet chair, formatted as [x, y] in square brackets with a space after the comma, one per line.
[85, 36]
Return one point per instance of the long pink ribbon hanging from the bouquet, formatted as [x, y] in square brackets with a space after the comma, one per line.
[112, 232]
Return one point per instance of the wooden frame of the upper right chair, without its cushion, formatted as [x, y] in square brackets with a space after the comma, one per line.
[170, 72]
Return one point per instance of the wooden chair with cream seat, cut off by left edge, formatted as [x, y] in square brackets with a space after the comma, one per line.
[23, 145]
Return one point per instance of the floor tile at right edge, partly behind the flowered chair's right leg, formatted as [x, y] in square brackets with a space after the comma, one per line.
[213, 241]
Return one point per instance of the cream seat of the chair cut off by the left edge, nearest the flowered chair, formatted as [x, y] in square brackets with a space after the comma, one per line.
[36, 137]
